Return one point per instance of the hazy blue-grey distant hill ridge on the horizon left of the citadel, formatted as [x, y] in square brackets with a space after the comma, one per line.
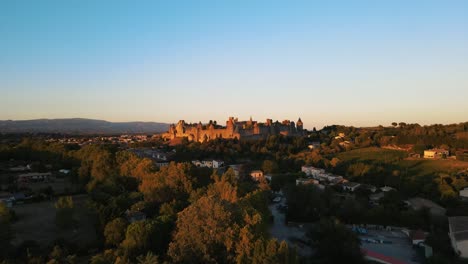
[79, 126]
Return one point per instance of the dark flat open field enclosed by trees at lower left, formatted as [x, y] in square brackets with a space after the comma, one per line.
[36, 221]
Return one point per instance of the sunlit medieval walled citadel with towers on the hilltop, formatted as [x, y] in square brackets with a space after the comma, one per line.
[233, 129]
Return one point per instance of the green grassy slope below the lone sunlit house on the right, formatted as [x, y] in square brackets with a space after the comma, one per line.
[425, 177]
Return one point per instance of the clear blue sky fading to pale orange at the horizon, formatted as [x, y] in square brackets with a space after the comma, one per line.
[328, 62]
